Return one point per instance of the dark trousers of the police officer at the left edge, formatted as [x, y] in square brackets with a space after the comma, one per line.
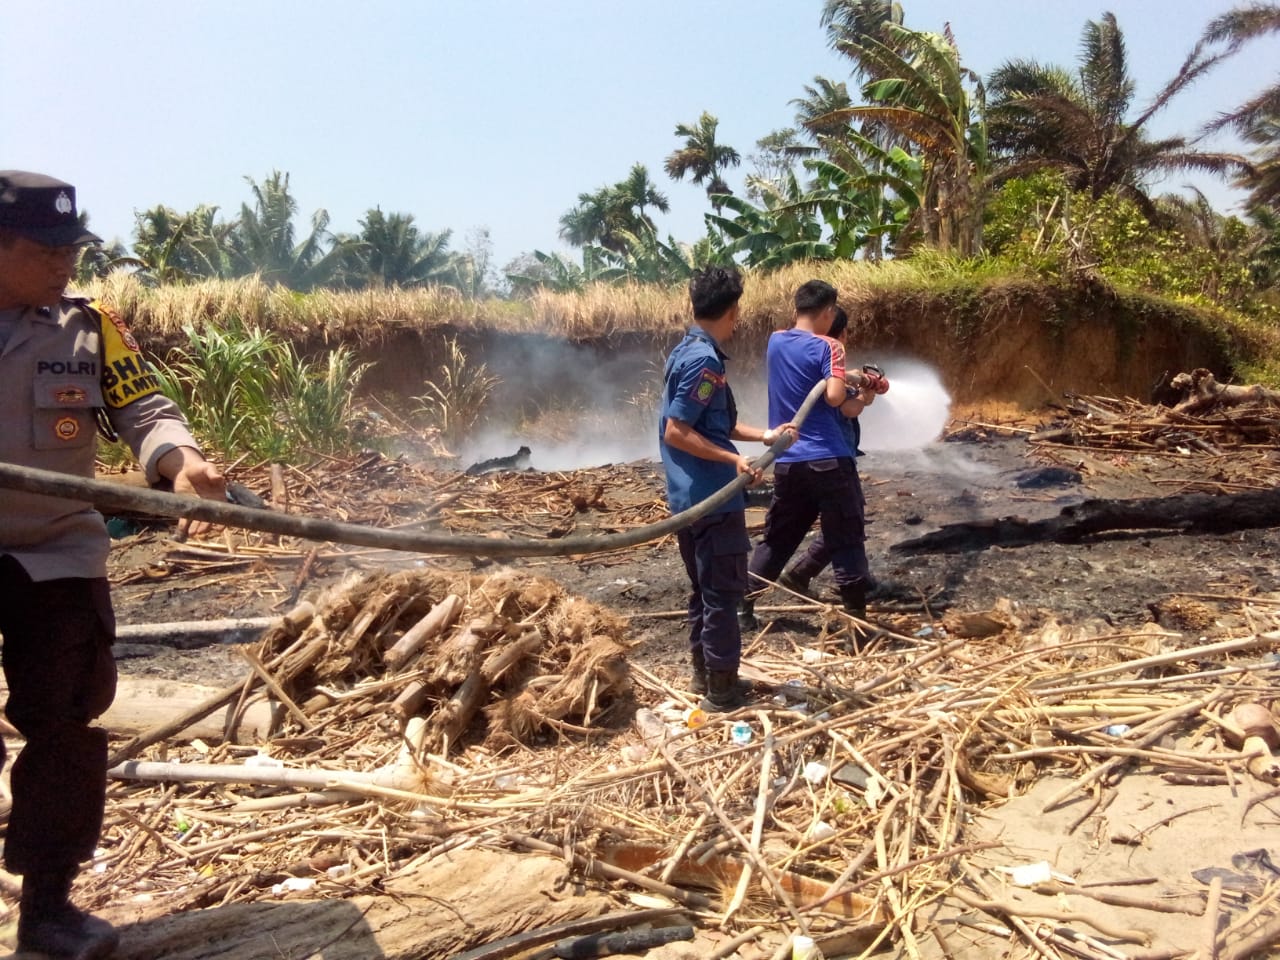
[61, 674]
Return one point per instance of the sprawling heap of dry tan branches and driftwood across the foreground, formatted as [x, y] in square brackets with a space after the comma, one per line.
[426, 712]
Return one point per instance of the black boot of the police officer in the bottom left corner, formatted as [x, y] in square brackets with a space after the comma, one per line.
[49, 925]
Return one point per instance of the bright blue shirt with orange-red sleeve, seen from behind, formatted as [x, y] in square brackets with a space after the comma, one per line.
[798, 360]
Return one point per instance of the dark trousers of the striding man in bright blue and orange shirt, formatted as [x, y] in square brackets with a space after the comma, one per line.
[826, 491]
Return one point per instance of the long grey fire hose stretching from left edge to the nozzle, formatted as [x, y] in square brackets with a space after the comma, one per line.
[108, 496]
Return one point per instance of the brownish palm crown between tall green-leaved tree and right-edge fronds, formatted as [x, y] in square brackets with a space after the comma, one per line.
[1045, 117]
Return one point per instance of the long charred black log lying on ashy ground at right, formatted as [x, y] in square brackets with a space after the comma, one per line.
[1186, 514]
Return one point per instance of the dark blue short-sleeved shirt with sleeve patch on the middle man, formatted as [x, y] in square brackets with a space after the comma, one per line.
[696, 392]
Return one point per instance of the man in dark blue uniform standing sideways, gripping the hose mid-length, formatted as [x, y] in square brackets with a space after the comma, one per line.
[696, 433]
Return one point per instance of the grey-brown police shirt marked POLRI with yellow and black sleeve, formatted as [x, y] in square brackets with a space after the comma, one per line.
[58, 368]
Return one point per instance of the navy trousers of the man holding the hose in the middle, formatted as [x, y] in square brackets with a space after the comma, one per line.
[715, 554]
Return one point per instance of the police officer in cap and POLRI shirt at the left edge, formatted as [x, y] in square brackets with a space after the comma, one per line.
[66, 367]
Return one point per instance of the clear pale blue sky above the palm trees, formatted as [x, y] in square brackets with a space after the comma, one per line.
[477, 115]
